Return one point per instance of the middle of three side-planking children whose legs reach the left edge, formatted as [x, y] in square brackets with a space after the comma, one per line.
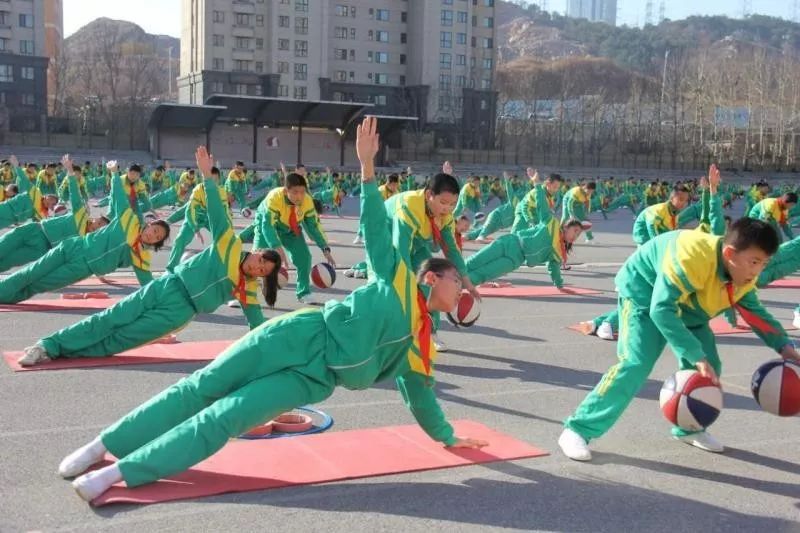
[31, 241]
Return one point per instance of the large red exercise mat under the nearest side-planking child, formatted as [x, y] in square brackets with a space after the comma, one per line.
[249, 465]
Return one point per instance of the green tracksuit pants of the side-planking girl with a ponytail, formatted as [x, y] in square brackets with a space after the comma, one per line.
[155, 310]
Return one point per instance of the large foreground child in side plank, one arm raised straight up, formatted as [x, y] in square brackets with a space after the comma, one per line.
[381, 331]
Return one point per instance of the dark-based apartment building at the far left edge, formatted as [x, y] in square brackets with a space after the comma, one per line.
[31, 32]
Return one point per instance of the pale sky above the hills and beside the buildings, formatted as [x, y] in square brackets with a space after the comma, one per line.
[164, 16]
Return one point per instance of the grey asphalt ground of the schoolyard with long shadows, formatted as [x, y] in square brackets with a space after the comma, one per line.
[518, 370]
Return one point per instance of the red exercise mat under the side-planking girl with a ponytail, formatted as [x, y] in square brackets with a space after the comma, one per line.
[149, 354]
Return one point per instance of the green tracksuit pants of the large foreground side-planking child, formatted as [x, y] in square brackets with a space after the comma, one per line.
[269, 371]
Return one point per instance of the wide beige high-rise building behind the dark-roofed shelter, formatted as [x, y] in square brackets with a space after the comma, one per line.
[432, 59]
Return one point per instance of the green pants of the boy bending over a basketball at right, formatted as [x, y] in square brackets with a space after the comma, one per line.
[639, 346]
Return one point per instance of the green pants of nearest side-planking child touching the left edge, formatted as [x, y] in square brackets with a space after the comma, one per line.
[58, 268]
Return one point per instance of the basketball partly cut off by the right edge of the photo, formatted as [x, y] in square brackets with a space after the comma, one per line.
[776, 387]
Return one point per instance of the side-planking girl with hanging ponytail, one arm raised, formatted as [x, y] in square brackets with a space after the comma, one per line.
[199, 285]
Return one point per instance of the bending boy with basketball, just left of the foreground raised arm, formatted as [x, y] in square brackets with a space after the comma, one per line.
[279, 224]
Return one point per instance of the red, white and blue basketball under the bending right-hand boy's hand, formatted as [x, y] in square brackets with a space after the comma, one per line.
[690, 401]
